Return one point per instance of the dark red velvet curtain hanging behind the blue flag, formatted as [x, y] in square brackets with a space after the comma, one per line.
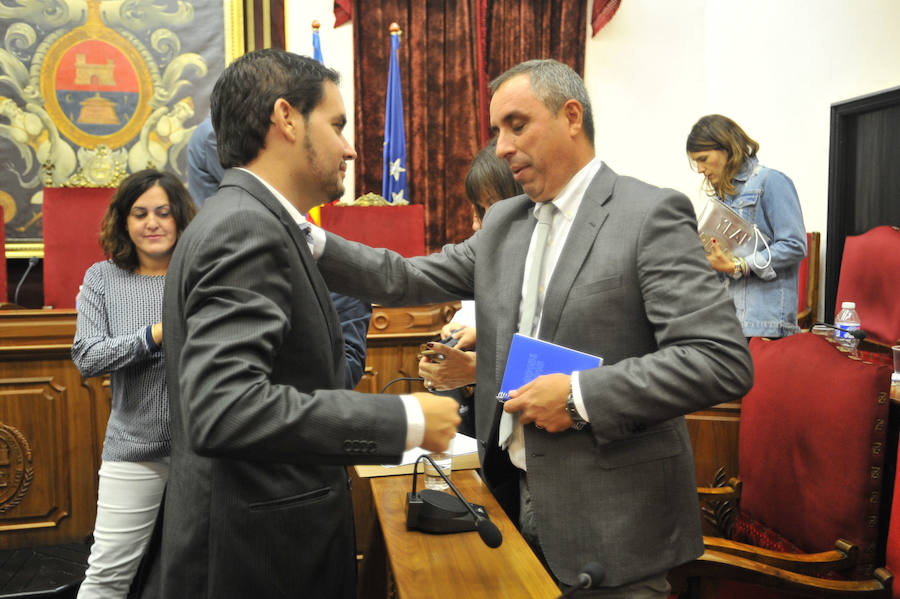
[439, 69]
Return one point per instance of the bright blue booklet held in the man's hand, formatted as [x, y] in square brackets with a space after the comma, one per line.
[529, 358]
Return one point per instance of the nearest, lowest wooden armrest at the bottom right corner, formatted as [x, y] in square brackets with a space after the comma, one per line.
[714, 565]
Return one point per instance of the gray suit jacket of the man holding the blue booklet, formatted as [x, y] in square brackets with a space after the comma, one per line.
[632, 285]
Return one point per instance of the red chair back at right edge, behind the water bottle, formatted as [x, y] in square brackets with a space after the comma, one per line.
[870, 276]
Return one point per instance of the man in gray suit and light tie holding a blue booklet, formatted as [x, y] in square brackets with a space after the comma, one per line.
[599, 464]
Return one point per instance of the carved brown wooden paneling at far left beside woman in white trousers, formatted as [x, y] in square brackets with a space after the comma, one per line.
[61, 417]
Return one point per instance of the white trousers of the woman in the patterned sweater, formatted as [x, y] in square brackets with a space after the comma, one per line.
[127, 504]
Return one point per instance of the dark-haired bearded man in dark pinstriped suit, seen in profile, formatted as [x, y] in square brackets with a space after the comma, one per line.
[258, 502]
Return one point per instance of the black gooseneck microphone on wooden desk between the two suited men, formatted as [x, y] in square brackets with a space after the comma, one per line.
[437, 512]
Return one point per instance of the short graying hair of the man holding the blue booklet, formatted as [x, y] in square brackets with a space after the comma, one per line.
[554, 84]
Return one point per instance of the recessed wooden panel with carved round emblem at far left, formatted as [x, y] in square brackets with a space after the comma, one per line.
[34, 466]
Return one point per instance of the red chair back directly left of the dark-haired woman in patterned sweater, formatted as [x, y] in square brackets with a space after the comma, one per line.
[72, 219]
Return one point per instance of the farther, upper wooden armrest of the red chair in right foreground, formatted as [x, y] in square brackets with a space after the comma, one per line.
[843, 557]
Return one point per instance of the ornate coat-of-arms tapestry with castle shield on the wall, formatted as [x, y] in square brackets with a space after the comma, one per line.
[91, 90]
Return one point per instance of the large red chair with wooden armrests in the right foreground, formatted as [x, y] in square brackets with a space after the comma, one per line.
[812, 445]
